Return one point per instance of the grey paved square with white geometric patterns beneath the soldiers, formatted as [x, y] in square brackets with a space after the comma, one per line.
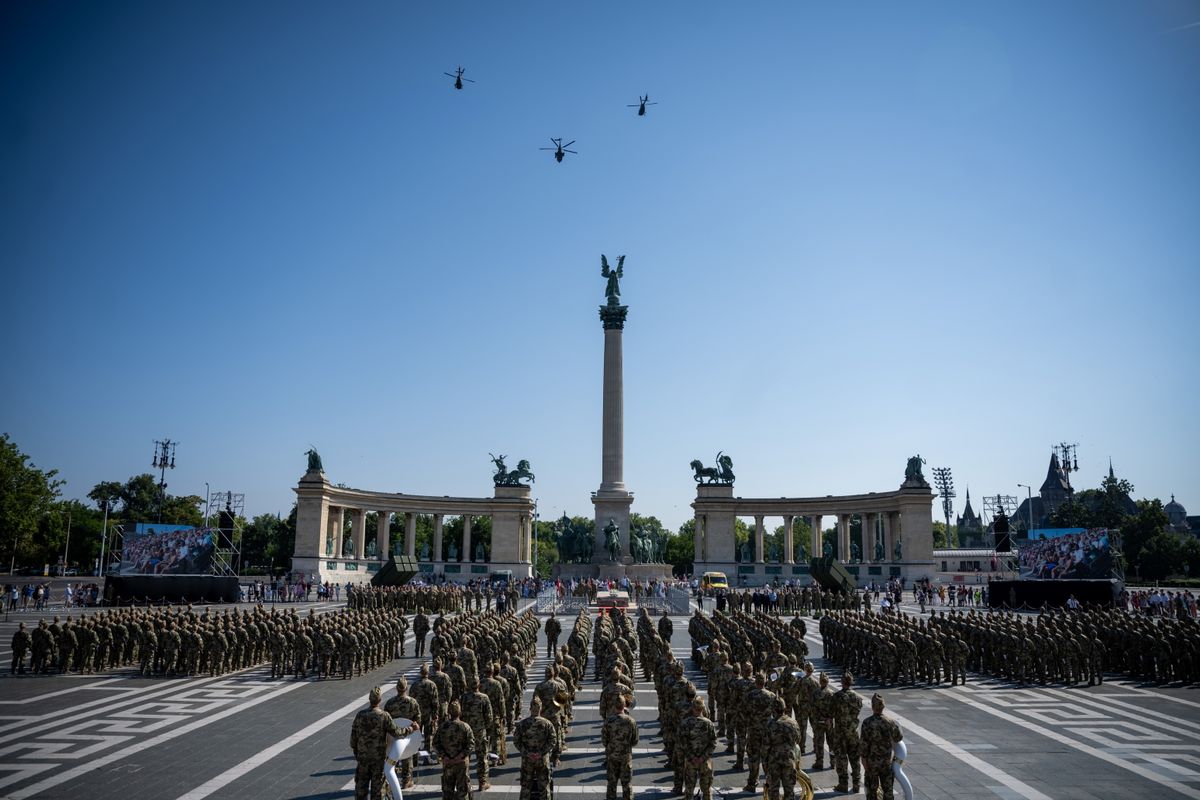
[243, 736]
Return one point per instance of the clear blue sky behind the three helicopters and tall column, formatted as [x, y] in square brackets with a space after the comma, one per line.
[855, 232]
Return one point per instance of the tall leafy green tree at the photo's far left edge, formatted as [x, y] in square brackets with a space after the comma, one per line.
[27, 495]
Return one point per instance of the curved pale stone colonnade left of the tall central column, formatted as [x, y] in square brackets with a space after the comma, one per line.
[322, 509]
